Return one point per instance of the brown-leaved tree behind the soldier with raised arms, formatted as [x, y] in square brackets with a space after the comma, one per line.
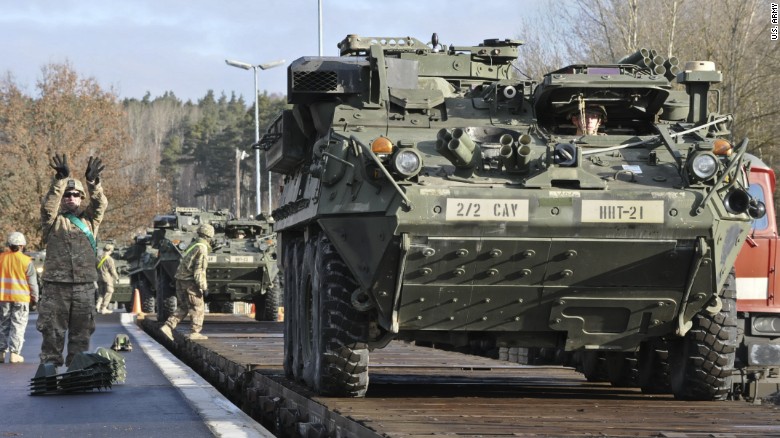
[74, 116]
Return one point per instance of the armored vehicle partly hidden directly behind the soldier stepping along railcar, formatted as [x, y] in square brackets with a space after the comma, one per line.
[172, 235]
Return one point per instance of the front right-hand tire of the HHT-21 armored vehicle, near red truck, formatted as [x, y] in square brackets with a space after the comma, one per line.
[702, 362]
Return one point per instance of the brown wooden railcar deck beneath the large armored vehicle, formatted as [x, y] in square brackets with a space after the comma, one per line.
[417, 391]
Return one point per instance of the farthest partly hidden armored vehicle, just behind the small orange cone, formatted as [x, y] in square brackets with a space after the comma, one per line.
[141, 259]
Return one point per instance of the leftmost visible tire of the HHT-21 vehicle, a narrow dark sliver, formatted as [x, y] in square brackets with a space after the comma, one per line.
[293, 263]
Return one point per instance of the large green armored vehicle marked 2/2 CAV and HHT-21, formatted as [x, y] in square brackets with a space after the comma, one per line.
[433, 195]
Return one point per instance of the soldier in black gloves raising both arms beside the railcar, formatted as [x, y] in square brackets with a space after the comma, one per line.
[69, 230]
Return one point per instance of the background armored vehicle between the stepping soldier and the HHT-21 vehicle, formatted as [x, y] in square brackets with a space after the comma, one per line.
[242, 267]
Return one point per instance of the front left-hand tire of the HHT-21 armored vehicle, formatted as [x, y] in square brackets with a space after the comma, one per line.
[332, 332]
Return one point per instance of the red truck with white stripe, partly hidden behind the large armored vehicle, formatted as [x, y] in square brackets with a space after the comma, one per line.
[758, 299]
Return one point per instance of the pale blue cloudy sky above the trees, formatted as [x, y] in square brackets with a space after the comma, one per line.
[137, 46]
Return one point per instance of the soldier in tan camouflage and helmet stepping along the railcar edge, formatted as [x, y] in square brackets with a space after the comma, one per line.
[191, 285]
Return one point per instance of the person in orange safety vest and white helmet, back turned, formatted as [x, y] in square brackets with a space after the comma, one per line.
[18, 288]
